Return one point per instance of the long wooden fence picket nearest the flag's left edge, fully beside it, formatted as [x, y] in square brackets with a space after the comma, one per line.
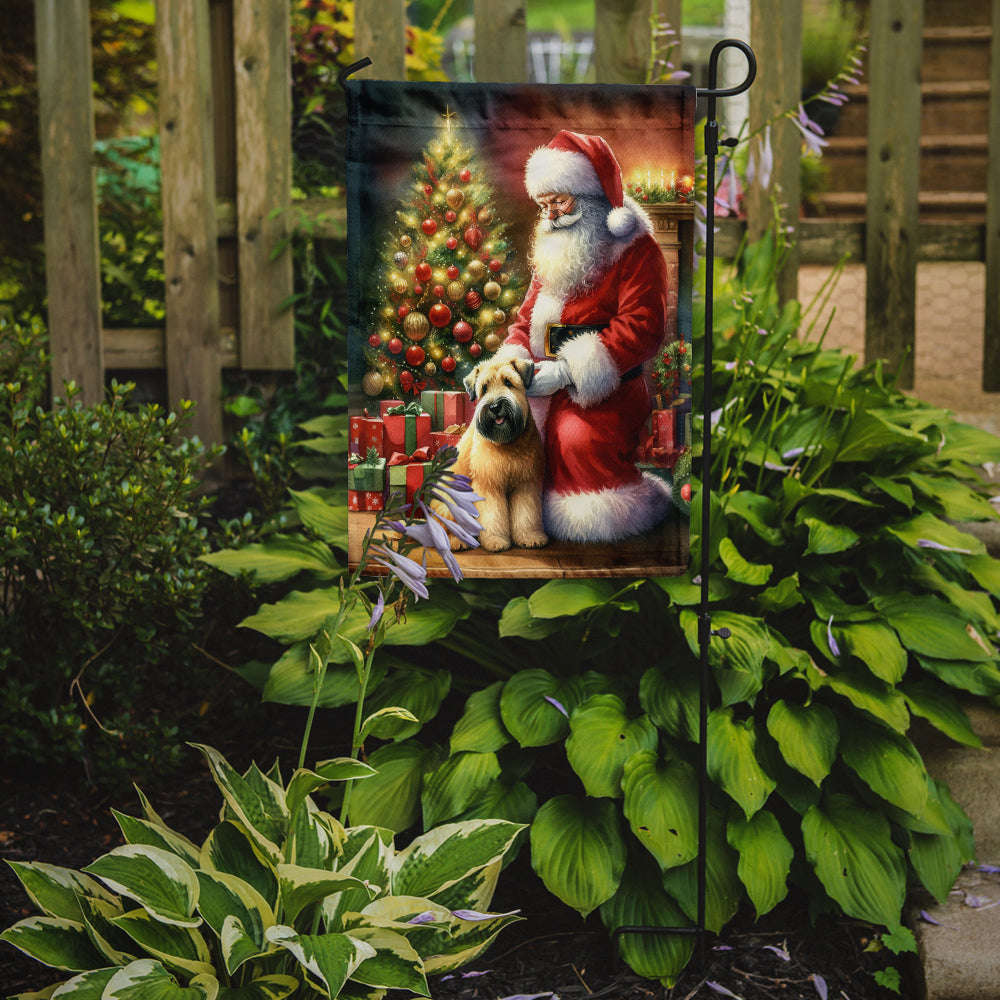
[261, 58]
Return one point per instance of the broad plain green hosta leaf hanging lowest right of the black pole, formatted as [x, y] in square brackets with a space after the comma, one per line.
[850, 847]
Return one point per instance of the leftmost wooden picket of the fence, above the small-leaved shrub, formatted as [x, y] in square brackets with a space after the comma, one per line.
[72, 254]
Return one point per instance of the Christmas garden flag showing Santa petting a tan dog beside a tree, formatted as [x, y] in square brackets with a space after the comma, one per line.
[520, 283]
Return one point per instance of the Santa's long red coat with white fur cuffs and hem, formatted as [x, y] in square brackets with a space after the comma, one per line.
[593, 490]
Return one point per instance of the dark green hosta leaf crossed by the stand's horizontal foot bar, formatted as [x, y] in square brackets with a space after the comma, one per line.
[642, 902]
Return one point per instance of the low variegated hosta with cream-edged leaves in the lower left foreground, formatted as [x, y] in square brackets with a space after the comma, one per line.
[279, 900]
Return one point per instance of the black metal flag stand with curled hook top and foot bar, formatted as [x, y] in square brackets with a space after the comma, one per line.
[705, 630]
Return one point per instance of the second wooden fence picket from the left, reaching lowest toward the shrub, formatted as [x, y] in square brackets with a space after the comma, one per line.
[190, 250]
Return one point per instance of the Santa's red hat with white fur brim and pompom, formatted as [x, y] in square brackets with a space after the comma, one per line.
[584, 165]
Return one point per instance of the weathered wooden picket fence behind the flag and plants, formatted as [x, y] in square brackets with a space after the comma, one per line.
[226, 160]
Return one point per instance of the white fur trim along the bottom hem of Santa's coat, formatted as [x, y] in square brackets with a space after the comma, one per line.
[607, 515]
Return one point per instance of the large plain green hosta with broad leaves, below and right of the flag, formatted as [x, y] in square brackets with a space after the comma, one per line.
[854, 603]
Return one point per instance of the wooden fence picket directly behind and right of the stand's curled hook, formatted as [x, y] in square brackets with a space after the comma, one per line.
[776, 35]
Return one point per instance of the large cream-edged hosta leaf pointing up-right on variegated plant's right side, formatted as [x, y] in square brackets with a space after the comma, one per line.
[441, 857]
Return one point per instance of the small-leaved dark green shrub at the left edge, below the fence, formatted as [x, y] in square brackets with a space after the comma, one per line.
[101, 584]
